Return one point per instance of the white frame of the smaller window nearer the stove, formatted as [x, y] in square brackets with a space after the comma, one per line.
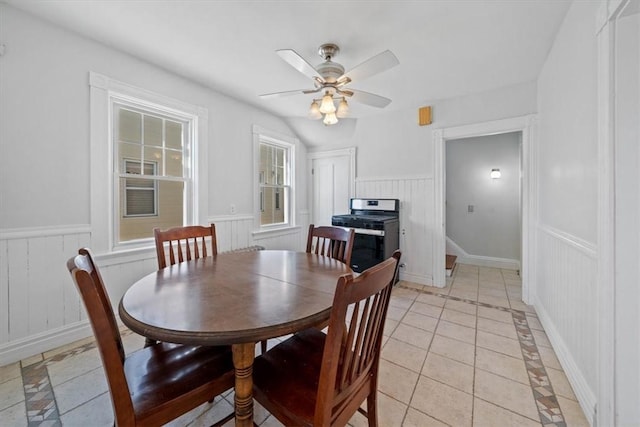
[261, 135]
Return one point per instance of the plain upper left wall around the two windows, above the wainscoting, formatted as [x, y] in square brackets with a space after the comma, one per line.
[45, 114]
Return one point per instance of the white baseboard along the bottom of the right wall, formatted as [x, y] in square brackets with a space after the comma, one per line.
[586, 397]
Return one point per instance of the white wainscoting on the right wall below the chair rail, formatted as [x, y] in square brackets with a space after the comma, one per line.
[566, 304]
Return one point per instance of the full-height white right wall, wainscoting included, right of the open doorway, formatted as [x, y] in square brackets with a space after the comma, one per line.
[567, 197]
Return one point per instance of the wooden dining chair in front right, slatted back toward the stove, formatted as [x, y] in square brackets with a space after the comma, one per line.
[313, 379]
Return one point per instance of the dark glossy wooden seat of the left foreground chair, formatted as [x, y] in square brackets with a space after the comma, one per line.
[166, 373]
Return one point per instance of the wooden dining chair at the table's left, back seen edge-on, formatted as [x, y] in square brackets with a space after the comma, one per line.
[158, 383]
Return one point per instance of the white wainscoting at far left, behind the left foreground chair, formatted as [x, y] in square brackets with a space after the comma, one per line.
[38, 295]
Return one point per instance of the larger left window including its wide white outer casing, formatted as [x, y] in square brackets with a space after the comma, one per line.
[148, 164]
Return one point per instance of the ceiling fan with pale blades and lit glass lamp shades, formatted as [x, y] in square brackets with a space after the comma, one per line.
[330, 79]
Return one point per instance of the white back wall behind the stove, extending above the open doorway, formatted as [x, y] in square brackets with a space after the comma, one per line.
[395, 159]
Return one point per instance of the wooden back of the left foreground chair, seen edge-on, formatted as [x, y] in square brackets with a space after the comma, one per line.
[90, 285]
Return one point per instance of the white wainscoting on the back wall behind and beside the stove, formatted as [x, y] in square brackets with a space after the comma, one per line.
[416, 221]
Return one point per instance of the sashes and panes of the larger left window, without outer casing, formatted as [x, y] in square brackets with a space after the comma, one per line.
[151, 169]
